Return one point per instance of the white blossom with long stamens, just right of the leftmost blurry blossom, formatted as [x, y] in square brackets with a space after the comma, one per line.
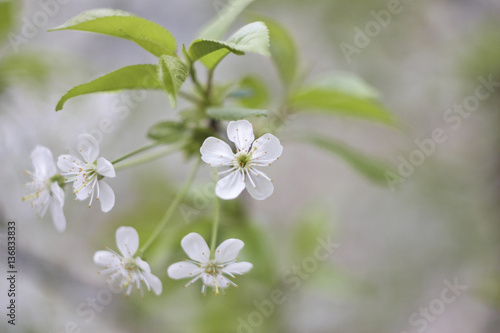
[87, 173]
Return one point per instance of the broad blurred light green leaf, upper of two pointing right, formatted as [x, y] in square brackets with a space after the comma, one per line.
[332, 100]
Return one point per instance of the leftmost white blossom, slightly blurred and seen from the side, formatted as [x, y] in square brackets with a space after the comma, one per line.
[45, 186]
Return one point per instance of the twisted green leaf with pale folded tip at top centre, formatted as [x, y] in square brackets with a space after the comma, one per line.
[253, 37]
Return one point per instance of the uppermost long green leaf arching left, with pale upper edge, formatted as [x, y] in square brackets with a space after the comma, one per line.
[149, 35]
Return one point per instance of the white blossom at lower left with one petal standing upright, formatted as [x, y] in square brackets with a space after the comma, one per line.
[126, 268]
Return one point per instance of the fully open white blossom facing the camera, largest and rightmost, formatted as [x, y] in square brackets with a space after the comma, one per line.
[249, 154]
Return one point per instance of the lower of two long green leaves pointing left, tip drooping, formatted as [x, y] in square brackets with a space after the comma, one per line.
[130, 77]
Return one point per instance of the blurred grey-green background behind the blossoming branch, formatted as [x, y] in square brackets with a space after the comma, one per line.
[399, 249]
